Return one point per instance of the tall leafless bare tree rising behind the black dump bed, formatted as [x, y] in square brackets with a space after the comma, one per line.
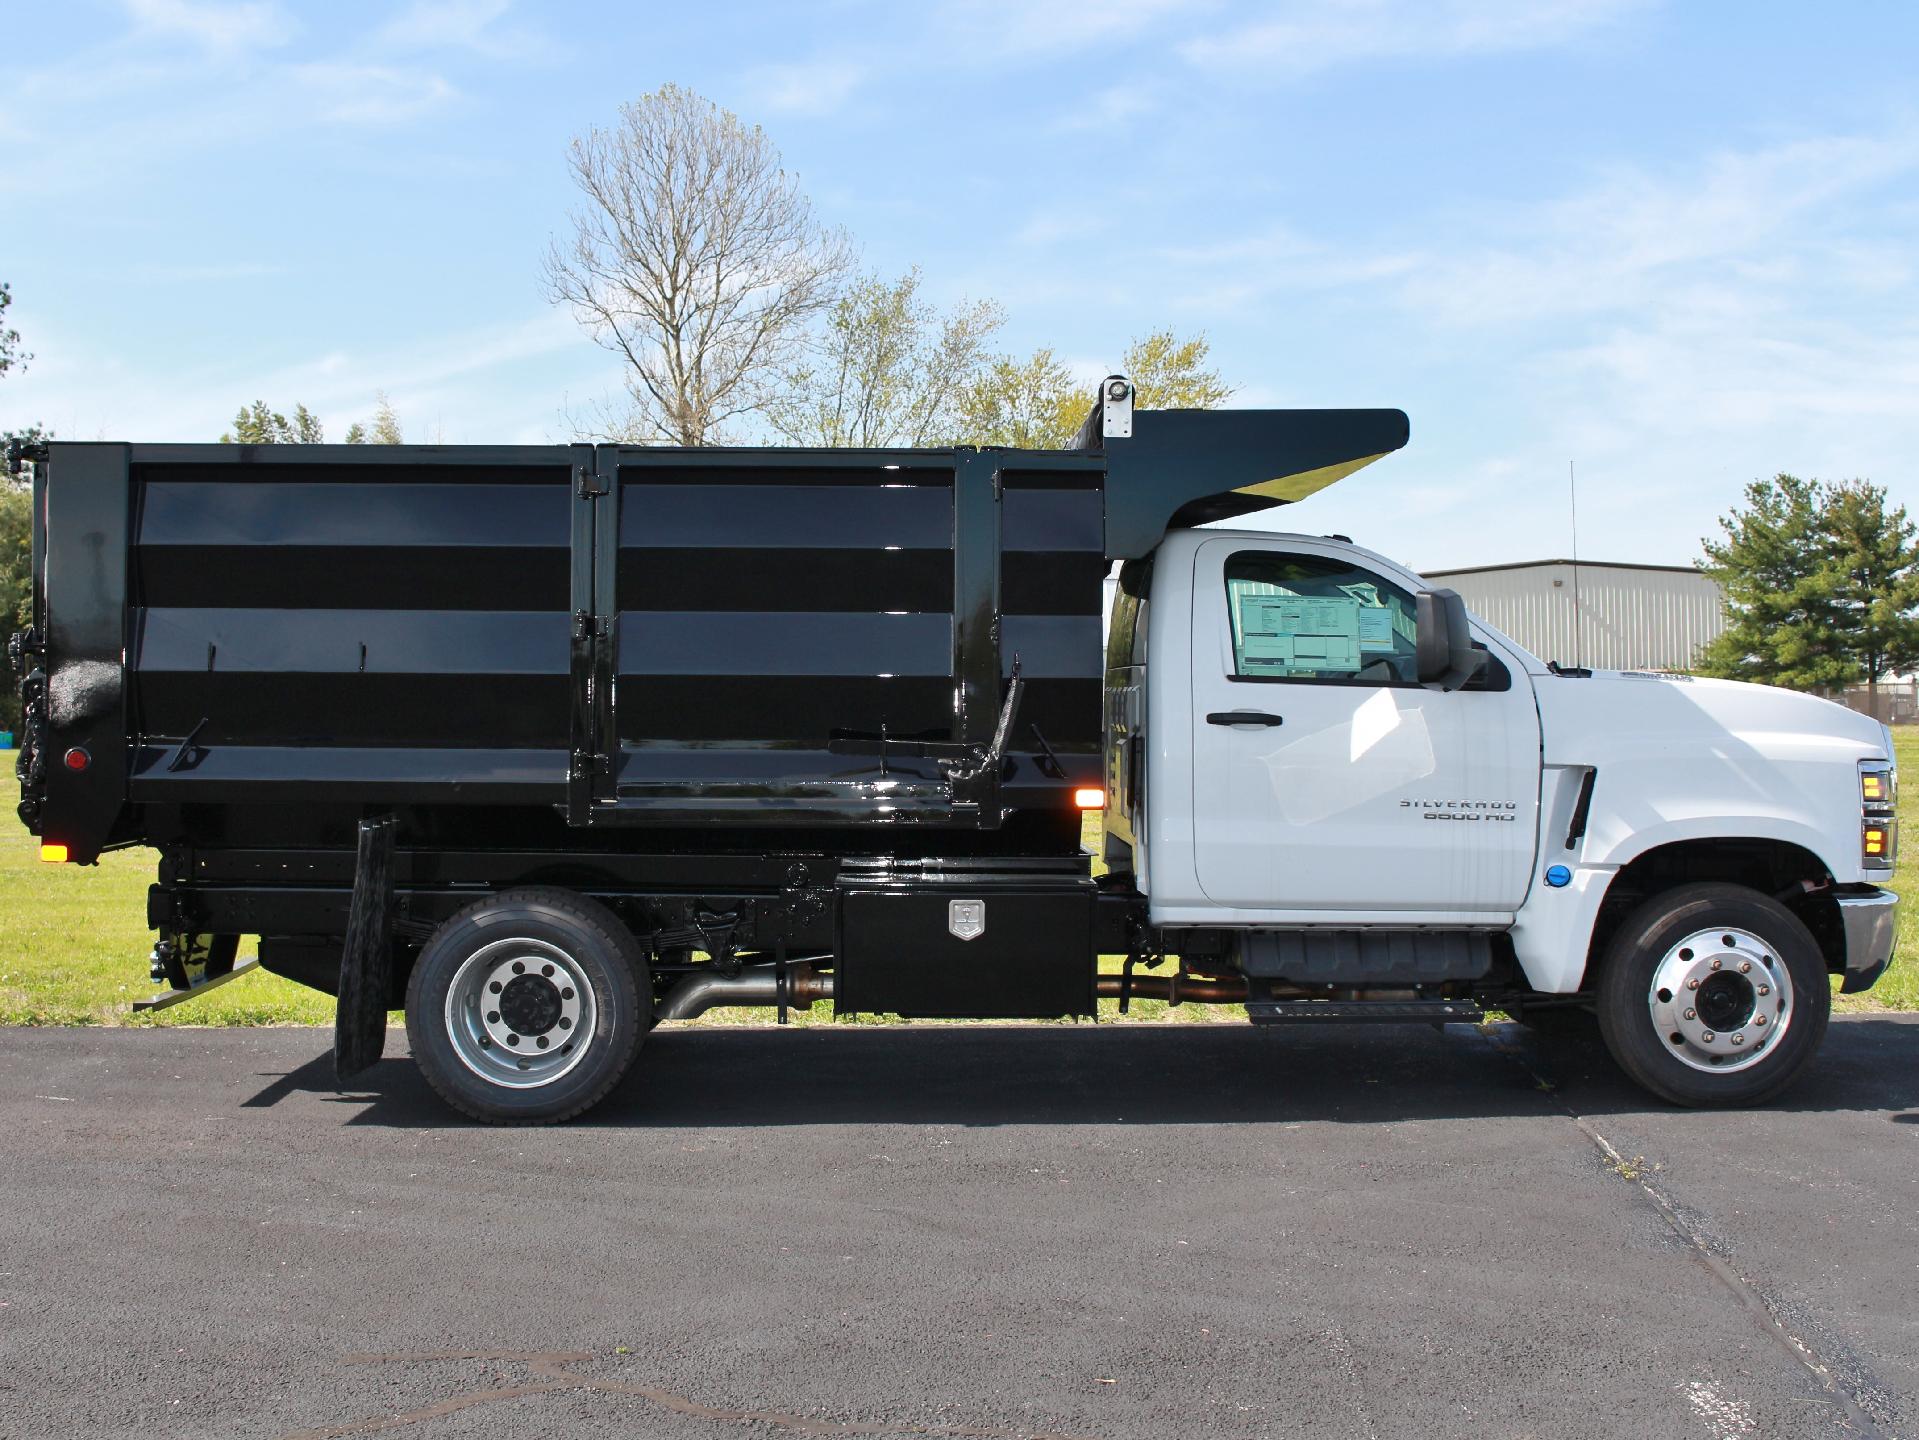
[696, 258]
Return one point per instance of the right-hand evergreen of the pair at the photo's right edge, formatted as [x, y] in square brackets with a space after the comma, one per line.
[1872, 567]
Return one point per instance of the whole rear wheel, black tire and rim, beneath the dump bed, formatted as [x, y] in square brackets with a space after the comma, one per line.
[590, 946]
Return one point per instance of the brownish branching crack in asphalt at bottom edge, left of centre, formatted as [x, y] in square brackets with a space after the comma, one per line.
[554, 1372]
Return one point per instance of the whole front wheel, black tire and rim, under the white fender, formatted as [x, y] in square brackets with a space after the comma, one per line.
[1653, 938]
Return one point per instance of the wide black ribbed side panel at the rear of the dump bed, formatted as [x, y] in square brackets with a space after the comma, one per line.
[350, 625]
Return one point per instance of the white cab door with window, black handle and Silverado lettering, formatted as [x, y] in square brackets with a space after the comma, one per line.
[1325, 775]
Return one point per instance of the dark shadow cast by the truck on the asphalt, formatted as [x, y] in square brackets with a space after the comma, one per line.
[1131, 1076]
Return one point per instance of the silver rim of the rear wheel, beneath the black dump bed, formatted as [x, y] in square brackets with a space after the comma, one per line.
[521, 1013]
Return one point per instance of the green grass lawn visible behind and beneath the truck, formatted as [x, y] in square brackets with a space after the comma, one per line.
[74, 946]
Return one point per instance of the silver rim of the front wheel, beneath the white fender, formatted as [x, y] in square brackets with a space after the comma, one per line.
[1722, 1001]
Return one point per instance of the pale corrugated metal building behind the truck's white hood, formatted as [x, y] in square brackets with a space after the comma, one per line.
[1630, 617]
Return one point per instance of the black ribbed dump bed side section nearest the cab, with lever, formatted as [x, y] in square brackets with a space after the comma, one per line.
[769, 606]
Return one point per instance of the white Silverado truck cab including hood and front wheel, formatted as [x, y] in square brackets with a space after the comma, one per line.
[1314, 775]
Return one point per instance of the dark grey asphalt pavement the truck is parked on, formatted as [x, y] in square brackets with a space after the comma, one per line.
[959, 1232]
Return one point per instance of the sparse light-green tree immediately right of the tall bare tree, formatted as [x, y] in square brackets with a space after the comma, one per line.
[882, 368]
